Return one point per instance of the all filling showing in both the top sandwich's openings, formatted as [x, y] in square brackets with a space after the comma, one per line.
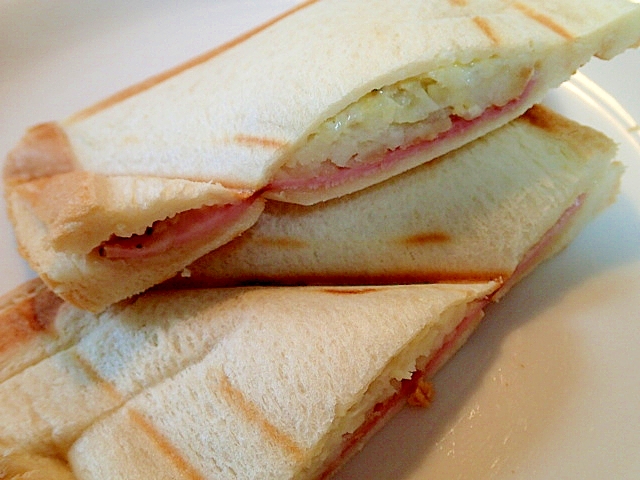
[382, 129]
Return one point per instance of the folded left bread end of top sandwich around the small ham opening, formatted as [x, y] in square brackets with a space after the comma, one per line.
[64, 223]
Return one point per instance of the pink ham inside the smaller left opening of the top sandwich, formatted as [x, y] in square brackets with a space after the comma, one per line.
[187, 227]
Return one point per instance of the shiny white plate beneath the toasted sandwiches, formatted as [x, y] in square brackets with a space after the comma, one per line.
[549, 386]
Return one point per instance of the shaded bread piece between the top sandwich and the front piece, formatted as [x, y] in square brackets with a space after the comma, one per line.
[475, 213]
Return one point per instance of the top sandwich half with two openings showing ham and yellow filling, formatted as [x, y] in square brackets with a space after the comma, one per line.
[329, 98]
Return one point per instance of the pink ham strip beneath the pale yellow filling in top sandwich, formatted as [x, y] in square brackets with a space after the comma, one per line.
[329, 175]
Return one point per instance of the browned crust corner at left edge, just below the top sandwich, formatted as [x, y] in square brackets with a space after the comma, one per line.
[29, 316]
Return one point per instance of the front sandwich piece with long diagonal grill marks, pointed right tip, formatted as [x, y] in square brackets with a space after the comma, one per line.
[260, 364]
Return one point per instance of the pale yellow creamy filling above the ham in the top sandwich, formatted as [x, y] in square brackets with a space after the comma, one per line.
[412, 110]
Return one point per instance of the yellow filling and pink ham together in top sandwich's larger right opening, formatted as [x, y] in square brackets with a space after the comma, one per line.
[394, 122]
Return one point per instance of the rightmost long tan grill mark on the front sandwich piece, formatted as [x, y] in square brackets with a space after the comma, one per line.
[252, 413]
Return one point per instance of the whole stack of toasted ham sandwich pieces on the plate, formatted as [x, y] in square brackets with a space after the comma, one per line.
[249, 263]
